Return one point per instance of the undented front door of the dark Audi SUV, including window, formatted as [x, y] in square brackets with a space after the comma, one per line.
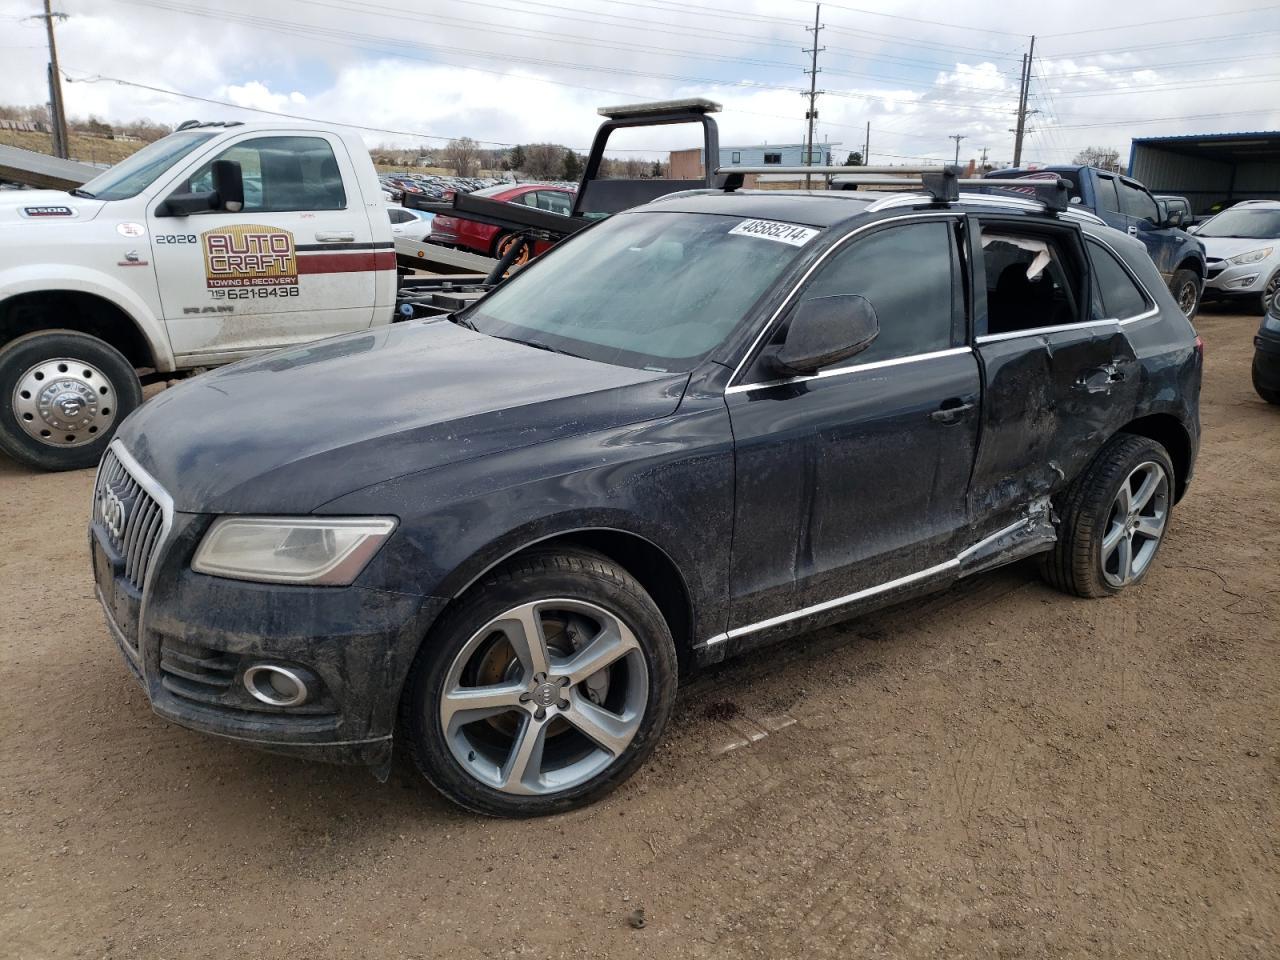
[854, 478]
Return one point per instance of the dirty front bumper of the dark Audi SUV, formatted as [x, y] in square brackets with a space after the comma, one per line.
[189, 639]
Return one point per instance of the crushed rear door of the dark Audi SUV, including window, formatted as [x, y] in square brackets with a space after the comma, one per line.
[1060, 376]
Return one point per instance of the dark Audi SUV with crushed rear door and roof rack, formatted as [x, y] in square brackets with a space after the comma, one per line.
[707, 424]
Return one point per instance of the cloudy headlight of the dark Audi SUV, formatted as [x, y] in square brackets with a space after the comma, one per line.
[330, 551]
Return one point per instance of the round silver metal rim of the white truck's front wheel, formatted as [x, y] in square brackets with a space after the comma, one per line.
[65, 403]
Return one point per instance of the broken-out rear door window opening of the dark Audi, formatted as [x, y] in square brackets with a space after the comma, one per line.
[1032, 281]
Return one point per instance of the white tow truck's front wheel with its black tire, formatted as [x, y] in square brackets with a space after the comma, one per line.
[62, 395]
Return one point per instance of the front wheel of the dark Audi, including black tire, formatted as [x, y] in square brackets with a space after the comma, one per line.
[473, 756]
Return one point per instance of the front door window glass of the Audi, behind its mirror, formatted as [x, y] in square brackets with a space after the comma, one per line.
[909, 276]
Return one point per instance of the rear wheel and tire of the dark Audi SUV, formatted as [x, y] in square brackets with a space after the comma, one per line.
[1081, 563]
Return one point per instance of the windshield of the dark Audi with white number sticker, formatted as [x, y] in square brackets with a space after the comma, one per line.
[656, 291]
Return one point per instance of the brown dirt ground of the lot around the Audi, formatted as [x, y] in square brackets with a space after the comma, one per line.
[996, 772]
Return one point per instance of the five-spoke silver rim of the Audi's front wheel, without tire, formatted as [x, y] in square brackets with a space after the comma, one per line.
[564, 711]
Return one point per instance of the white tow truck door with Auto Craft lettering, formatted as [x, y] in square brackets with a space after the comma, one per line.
[296, 264]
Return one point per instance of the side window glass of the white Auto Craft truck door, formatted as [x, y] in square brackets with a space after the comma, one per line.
[282, 173]
